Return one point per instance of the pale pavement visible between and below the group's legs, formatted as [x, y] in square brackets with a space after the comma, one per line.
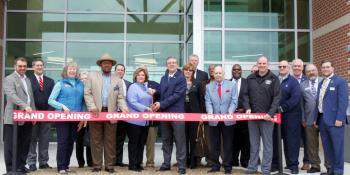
[124, 170]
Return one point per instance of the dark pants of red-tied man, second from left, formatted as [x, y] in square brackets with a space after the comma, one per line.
[40, 139]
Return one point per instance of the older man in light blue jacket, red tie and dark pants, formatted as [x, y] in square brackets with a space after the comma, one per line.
[221, 98]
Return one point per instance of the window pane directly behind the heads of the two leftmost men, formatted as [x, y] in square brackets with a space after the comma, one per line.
[50, 52]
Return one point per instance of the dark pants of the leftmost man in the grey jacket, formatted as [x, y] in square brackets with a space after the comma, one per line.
[23, 142]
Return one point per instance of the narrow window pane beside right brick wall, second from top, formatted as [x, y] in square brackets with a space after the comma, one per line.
[304, 46]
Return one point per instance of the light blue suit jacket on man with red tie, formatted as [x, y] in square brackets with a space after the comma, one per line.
[224, 105]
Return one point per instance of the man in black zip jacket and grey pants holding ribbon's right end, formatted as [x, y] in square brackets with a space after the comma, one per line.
[264, 97]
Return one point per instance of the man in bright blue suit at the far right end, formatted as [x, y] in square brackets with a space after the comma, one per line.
[332, 102]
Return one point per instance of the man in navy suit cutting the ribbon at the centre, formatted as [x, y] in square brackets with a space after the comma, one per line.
[172, 99]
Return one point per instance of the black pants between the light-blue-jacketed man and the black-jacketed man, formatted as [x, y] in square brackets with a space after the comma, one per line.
[240, 152]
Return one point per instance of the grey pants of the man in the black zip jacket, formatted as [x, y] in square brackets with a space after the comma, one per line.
[260, 129]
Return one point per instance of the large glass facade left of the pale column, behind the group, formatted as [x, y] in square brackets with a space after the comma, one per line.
[134, 32]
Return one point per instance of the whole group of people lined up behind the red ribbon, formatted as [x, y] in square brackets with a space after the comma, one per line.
[309, 106]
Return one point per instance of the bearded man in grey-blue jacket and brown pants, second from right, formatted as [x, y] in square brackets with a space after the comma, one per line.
[309, 98]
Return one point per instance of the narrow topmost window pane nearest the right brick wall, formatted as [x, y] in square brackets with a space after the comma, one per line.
[303, 14]
